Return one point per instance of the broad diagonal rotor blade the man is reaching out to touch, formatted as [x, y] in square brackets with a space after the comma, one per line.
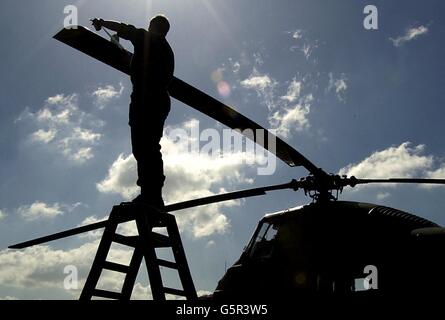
[105, 51]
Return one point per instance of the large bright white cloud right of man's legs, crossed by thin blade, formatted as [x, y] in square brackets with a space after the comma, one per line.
[185, 173]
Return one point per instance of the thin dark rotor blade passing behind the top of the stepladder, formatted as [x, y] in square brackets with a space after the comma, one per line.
[172, 207]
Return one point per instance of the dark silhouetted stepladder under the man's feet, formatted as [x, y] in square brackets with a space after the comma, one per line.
[147, 219]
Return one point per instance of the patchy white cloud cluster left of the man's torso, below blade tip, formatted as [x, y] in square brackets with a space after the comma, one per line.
[63, 127]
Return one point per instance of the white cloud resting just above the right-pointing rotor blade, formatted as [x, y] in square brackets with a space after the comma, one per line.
[403, 161]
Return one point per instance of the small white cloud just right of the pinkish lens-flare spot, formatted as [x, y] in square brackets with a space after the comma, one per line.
[264, 86]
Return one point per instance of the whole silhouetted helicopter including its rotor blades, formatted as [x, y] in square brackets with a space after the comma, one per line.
[327, 247]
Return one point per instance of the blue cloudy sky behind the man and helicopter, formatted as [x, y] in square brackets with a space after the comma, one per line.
[361, 102]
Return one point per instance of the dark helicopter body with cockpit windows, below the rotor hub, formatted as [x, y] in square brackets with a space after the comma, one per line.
[337, 248]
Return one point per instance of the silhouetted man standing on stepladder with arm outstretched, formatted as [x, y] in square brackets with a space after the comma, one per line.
[151, 73]
